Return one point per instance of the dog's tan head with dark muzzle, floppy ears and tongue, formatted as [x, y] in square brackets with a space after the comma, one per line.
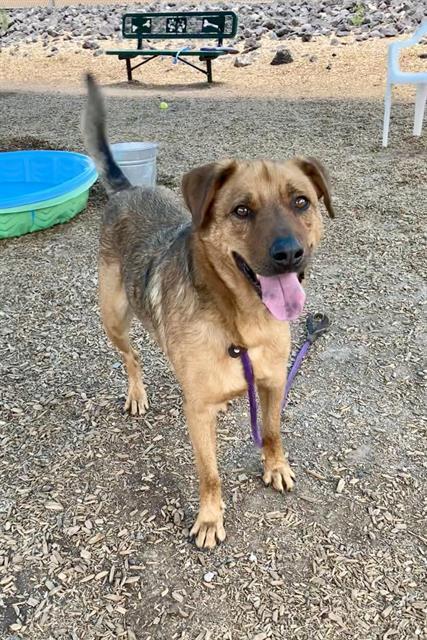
[263, 220]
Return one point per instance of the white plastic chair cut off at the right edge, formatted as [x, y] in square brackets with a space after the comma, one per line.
[396, 76]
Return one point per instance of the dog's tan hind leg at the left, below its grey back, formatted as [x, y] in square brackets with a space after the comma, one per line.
[116, 317]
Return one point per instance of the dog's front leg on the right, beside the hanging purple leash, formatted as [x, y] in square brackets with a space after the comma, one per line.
[277, 471]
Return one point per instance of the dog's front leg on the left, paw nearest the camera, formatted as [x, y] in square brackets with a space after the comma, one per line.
[209, 526]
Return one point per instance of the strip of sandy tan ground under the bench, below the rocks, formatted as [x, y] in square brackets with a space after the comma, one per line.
[349, 70]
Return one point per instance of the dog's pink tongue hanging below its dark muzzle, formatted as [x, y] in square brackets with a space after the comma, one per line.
[283, 295]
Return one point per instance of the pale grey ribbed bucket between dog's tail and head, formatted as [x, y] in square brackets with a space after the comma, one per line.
[137, 160]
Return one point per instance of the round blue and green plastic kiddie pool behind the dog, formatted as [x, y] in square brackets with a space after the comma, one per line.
[41, 188]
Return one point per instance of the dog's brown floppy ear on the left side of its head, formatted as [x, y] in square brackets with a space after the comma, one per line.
[200, 186]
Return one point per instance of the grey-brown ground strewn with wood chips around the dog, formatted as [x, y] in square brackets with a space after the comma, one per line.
[95, 506]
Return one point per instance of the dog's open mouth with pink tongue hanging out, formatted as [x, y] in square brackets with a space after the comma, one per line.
[282, 294]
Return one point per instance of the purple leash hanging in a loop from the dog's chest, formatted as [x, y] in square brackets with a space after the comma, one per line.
[317, 324]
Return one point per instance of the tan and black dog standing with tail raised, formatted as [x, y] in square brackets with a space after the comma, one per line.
[224, 270]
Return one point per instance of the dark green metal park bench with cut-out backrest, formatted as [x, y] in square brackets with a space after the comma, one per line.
[195, 25]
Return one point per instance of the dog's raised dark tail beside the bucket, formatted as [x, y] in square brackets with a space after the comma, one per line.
[96, 141]
